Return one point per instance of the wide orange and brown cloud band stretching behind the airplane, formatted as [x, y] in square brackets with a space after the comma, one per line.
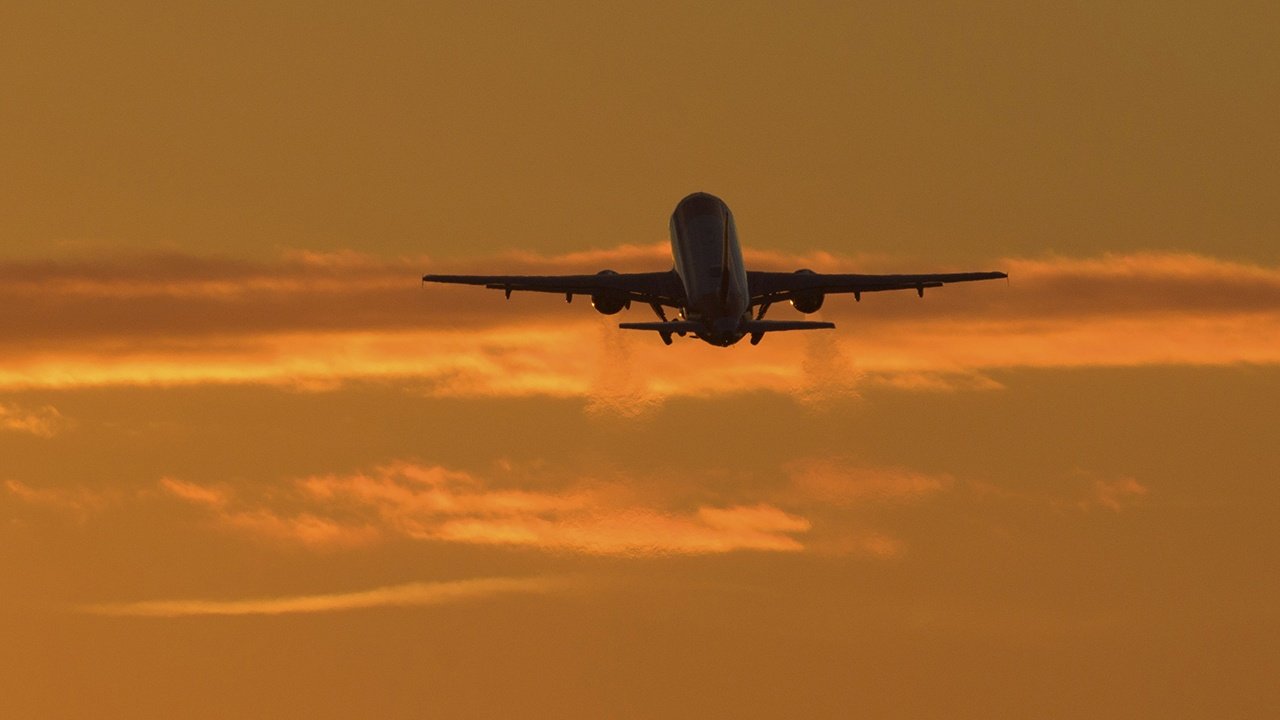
[314, 322]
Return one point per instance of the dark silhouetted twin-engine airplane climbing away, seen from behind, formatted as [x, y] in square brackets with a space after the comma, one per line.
[710, 288]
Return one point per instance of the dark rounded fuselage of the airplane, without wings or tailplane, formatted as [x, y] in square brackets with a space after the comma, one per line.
[710, 263]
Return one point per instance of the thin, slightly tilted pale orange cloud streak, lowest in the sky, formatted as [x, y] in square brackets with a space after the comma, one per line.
[392, 596]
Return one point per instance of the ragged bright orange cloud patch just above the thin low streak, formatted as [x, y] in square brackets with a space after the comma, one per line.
[440, 505]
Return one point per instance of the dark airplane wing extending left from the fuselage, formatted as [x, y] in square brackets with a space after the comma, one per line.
[655, 289]
